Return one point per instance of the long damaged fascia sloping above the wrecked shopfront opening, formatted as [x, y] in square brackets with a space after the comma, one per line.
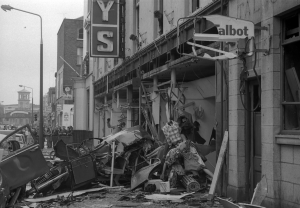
[160, 56]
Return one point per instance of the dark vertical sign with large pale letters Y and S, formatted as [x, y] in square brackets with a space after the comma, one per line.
[107, 30]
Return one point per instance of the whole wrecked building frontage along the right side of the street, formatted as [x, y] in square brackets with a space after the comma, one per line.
[154, 73]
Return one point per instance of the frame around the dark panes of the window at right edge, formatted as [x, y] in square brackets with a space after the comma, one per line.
[283, 44]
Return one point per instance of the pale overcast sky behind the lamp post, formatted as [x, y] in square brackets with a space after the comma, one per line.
[20, 37]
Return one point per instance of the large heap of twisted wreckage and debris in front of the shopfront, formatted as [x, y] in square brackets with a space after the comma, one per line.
[152, 173]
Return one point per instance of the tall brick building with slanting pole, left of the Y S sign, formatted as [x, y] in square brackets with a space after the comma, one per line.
[69, 59]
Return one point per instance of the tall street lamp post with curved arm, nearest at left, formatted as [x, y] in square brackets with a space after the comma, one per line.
[41, 139]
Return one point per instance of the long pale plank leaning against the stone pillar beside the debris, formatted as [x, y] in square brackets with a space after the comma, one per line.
[218, 166]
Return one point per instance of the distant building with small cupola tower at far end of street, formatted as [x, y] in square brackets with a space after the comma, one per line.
[21, 113]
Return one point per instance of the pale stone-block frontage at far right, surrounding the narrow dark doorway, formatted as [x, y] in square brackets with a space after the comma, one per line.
[264, 138]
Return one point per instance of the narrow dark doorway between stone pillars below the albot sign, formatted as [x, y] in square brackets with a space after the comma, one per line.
[253, 132]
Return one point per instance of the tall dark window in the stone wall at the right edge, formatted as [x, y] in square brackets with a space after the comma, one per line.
[291, 74]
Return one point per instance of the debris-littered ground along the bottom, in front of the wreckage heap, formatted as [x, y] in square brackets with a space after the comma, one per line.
[118, 198]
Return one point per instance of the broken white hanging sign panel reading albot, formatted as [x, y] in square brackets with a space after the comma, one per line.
[229, 29]
